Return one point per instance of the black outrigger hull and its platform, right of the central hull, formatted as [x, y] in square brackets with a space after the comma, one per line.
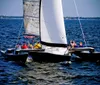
[85, 53]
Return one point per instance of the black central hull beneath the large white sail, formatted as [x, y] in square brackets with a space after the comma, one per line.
[42, 56]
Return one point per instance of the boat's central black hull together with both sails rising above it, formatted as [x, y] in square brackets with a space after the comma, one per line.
[44, 18]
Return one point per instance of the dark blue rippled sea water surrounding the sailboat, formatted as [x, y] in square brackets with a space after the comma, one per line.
[78, 73]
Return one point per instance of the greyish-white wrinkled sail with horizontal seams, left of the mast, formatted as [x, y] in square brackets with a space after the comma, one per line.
[31, 16]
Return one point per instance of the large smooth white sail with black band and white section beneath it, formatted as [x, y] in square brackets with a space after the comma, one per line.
[52, 27]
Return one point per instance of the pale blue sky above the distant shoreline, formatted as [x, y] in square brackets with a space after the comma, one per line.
[85, 8]
